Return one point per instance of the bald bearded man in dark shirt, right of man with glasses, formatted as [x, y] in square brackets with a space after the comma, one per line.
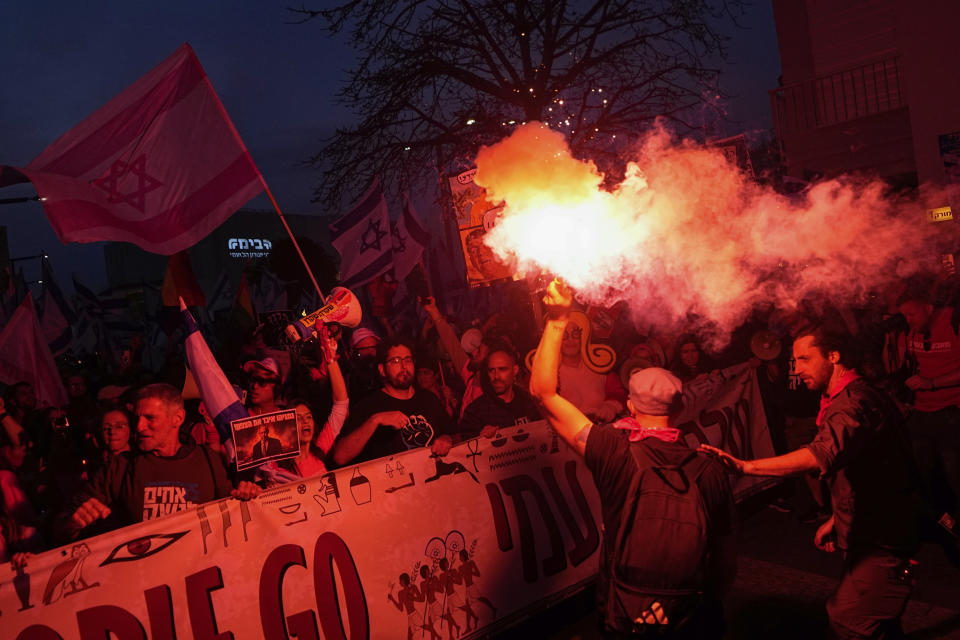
[503, 403]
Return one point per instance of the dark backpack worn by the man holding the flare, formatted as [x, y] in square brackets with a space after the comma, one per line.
[660, 550]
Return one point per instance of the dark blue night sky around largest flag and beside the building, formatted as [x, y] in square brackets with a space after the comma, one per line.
[277, 80]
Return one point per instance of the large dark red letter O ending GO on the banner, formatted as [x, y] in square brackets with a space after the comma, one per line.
[331, 550]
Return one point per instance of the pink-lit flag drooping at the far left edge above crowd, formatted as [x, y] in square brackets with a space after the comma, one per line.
[25, 356]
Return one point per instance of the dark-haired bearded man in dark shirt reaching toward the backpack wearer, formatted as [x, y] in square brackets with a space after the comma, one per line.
[861, 450]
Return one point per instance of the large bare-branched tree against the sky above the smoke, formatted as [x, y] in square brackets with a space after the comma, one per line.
[435, 79]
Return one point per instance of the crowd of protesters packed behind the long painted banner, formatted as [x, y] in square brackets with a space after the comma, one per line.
[104, 459]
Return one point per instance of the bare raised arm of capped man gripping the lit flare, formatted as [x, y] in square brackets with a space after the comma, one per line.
[569, 422]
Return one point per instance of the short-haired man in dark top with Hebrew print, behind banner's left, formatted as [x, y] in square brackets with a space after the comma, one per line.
[162, 478]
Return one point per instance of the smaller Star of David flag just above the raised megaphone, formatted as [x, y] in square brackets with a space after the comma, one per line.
[362, 237]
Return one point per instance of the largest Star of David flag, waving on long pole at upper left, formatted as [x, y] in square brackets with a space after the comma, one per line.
[160, 165]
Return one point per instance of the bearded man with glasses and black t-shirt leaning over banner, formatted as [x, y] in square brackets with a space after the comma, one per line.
[395, 418]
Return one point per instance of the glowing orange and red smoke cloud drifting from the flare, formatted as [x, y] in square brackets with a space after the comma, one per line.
[687, 234]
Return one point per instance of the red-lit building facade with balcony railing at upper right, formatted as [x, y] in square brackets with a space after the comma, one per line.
[869, 86]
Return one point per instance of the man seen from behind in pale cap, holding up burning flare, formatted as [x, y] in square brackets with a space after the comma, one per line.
[607, 449]
